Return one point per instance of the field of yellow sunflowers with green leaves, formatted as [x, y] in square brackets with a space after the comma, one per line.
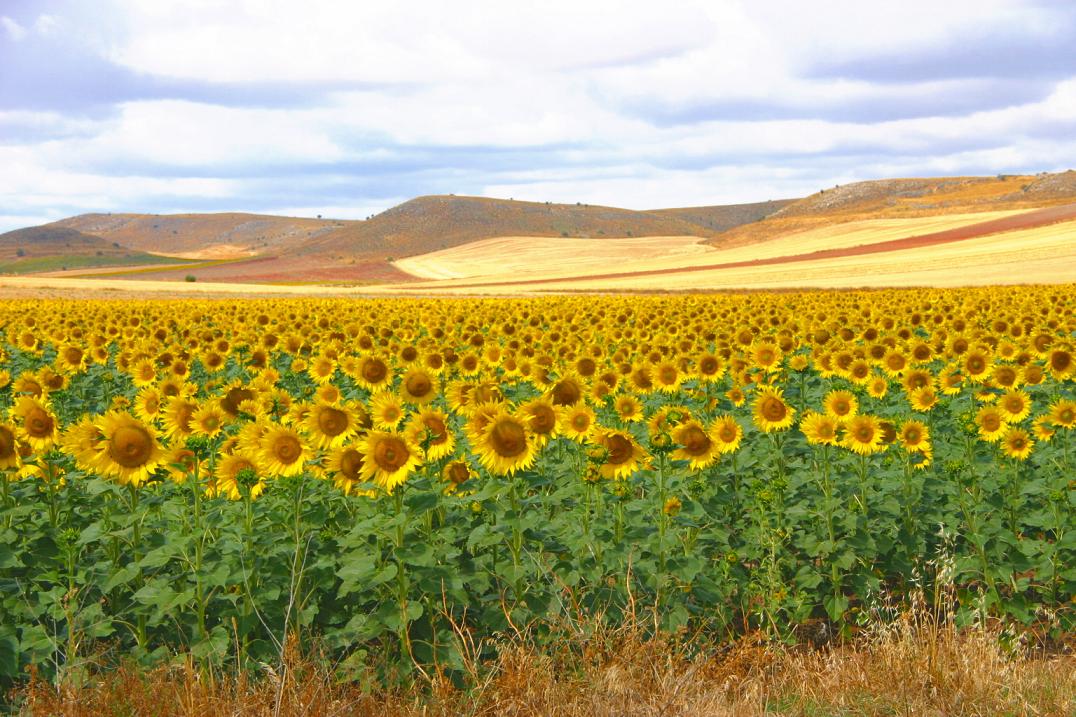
[404, 479]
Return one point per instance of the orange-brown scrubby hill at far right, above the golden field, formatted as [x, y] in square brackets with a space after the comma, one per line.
[908, 199]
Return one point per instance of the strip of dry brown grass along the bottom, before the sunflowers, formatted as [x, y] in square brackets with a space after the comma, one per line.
[914, 667]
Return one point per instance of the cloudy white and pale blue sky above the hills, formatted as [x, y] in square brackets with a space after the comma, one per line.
[345, 109]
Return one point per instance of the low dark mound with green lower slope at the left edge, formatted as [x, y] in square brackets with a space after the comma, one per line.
[51, 248]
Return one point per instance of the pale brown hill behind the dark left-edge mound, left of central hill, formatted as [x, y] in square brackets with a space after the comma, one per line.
[202, 236]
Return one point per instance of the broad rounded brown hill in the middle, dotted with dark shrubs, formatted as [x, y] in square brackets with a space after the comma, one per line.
[428, 224]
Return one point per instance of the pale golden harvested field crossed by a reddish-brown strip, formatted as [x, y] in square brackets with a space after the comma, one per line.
[951, 251]
